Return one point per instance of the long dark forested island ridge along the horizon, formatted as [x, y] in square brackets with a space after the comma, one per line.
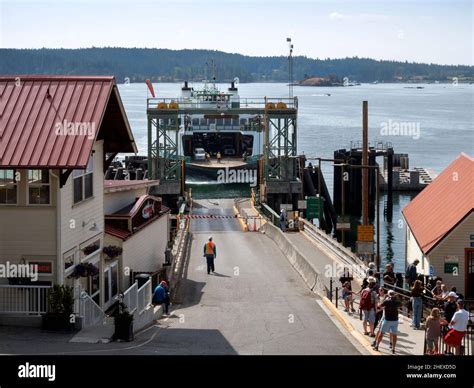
[163, 65]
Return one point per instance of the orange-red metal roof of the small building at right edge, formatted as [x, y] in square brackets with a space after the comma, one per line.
[433, 213]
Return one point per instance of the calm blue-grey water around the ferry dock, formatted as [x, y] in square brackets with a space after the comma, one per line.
[443, 114]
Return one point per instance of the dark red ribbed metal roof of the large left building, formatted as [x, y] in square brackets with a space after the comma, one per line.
[31, 107]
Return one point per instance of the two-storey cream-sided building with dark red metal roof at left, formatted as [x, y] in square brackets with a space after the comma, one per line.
[58, 135]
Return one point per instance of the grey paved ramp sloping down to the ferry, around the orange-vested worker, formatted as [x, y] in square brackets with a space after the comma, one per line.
[255, 302]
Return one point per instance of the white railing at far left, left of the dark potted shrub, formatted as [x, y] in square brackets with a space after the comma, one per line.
[28, 300]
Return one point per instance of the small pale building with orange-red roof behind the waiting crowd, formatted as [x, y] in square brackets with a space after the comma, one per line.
[440, 226]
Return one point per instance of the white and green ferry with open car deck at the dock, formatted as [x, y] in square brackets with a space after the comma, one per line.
[216, 123]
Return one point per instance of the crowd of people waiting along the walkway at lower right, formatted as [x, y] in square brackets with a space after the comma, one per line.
[379, 306]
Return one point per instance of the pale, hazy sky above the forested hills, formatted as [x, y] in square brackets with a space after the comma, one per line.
[407, 30]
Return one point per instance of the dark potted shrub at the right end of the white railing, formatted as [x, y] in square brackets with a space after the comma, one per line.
[60, 315]
